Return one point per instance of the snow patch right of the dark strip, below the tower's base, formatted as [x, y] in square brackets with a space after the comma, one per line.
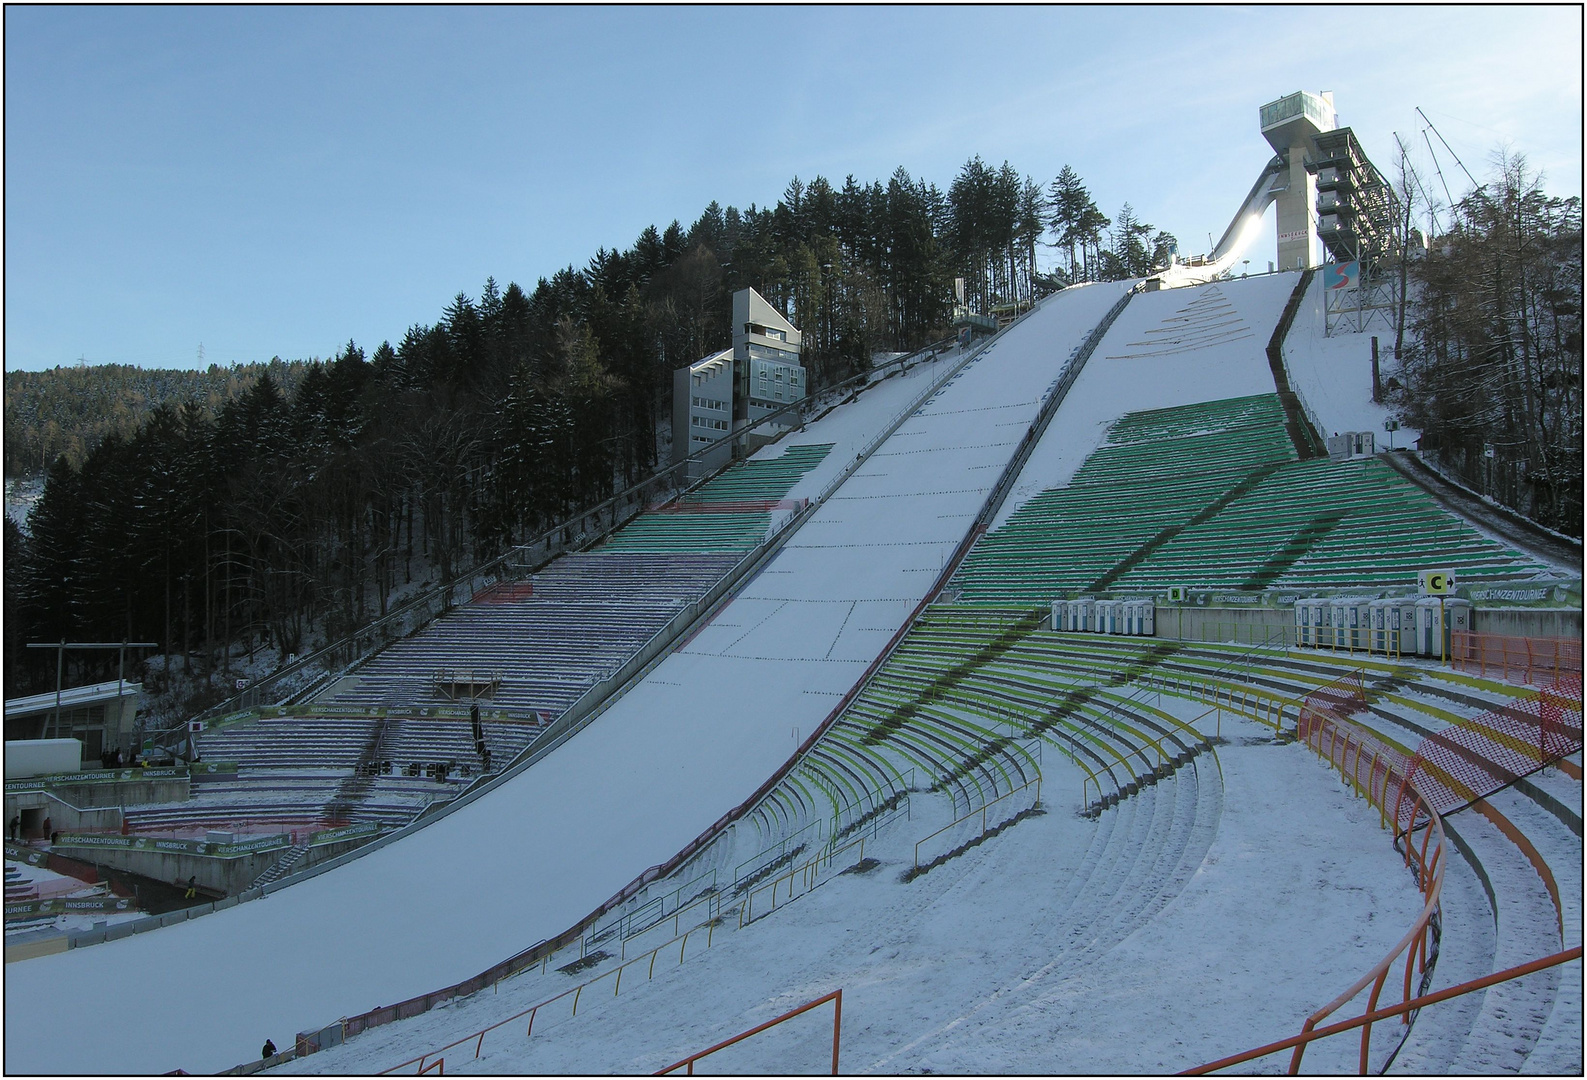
[1334, 377]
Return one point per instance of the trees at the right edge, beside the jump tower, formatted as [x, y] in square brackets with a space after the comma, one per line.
[1494, 364]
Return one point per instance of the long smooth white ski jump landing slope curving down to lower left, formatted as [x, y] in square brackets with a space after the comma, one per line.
[526, 862]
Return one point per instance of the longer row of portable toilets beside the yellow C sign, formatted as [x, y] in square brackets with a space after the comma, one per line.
[1404, 626]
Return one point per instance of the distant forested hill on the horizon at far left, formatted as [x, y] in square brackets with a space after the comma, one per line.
[69, 412]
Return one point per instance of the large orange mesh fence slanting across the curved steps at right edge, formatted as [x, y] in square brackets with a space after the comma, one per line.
[1475, 759]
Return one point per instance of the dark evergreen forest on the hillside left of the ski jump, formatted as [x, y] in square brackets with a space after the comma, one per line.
[286, 516]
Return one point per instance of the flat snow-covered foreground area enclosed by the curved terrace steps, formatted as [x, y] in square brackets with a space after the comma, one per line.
[1229, 930]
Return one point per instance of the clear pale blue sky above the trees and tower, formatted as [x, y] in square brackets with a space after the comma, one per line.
[275, 182]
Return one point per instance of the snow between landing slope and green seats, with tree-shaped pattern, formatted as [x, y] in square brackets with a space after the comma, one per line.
[1169, 348]
